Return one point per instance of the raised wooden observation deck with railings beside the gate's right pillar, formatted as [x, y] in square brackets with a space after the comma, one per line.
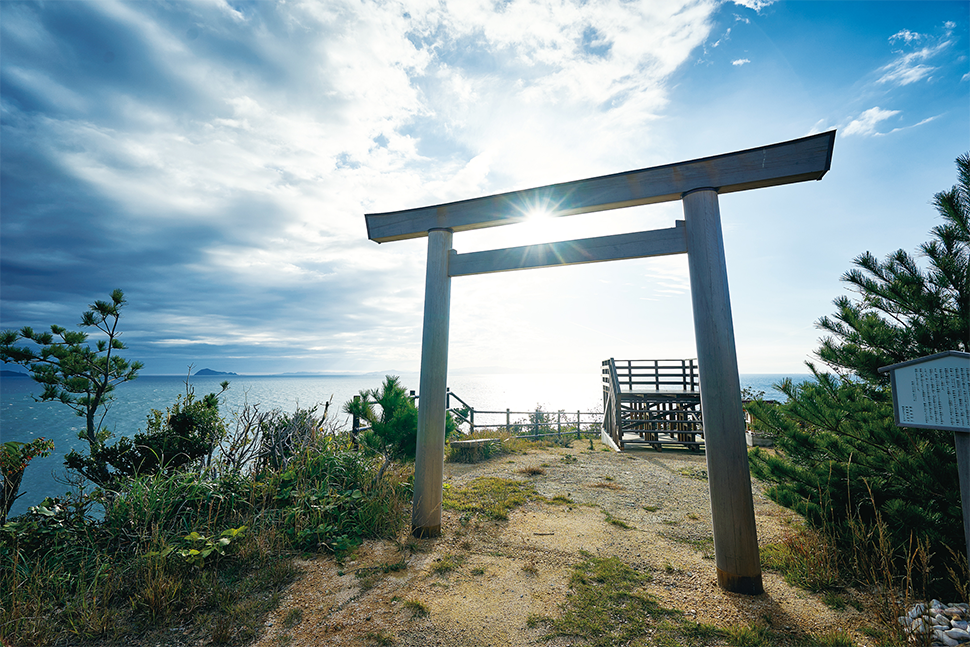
[653, 402]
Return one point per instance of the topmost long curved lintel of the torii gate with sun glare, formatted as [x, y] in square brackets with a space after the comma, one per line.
[798, 160]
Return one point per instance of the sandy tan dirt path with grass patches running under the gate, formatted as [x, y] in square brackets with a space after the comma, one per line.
[506, 571]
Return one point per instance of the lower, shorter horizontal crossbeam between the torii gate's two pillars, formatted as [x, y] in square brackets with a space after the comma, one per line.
[659, 242]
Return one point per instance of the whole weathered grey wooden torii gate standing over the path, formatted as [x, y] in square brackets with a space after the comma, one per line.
[697, 183]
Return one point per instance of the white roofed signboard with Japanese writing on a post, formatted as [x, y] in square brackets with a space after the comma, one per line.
[933, 392]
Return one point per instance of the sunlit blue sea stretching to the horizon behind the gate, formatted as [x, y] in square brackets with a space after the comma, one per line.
[23, 419]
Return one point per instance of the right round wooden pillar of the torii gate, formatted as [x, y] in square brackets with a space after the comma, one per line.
[732, 508]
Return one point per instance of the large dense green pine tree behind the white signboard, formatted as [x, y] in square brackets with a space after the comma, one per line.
[841, 459]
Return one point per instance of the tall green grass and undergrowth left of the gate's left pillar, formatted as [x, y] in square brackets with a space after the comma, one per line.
[209, 553]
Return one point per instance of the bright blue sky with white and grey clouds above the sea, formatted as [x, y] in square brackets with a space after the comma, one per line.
[214, 160]
